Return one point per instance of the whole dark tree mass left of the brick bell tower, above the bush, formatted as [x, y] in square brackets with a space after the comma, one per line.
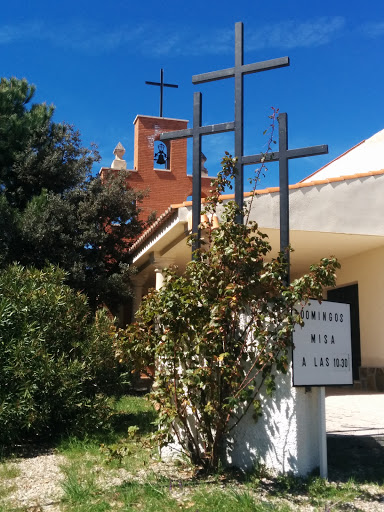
[52, 210]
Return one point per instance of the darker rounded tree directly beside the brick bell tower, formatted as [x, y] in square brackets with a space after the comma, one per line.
[87, 232]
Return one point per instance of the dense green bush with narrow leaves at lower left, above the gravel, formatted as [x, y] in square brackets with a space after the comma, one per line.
[56, 358]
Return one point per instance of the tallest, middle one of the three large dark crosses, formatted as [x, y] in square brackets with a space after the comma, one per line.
[238, 72]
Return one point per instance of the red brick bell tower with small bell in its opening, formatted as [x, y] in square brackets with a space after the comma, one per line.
[158, 166]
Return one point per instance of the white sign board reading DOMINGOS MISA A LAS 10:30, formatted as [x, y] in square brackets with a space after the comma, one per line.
[322, 354]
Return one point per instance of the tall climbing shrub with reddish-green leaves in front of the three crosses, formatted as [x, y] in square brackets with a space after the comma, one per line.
[221, 331]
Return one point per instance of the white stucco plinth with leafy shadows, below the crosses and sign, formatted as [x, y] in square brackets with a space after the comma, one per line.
[286, 437]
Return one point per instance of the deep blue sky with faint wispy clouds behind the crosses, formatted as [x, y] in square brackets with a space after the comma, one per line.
[91, 59]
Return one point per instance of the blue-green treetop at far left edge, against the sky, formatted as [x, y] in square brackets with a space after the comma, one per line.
[35, 152]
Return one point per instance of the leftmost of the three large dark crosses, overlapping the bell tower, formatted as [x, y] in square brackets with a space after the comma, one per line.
[196, 132]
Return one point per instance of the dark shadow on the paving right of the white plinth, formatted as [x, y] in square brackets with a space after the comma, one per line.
[357, 457]
